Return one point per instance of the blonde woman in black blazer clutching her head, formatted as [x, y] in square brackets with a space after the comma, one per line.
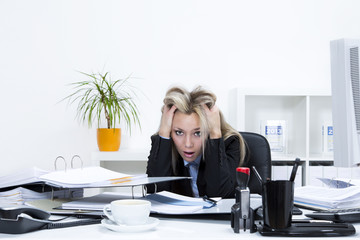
[194, 140]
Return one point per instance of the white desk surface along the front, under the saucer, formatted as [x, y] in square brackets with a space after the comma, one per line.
[168, 228]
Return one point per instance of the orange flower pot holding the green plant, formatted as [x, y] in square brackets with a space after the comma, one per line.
[109, 139]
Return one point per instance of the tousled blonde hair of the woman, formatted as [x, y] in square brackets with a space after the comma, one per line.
[192, 102]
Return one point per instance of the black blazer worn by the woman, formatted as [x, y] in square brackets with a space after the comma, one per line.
[217, 169]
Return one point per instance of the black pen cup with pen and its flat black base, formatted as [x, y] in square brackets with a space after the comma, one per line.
[278, 203]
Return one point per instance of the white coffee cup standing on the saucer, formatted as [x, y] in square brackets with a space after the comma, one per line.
[128, 211]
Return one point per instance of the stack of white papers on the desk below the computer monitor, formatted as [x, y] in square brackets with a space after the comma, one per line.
[327, 198]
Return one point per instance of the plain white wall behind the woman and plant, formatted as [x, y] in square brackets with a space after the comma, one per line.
[221, 44]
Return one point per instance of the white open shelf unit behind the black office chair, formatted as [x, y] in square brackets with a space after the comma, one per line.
[304, 111]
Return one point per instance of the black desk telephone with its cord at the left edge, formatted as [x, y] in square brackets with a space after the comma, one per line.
[17, 219]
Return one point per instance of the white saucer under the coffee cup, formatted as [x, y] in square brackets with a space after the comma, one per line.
[151, 223]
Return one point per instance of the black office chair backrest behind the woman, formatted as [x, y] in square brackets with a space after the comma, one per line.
[257, 154]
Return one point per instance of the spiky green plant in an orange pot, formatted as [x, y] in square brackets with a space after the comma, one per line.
[99, 98]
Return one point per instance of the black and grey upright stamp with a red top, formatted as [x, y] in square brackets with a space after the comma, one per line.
[242, 216]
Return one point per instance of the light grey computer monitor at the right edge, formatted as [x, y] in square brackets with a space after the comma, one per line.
[345, 87]
